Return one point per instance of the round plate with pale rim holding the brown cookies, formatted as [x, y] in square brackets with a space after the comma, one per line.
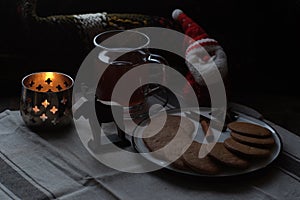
[140, 146]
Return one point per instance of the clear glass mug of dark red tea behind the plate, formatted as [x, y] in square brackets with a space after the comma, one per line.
[120, 51]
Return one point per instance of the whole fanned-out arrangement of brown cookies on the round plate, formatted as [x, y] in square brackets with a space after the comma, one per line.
[247, 143]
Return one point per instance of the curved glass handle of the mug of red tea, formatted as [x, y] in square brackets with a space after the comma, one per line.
[157, 89]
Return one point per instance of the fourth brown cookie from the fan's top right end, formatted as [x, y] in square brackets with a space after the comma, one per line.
[220, 153]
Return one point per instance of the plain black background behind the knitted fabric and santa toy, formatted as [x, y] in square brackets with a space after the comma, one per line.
[261, 39]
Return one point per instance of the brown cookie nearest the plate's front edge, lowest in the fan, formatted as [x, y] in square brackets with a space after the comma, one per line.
[202, 165]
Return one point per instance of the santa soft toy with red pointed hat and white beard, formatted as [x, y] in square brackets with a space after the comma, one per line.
[203, 55]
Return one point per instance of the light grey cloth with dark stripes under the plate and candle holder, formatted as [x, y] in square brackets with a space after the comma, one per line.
[57, 166]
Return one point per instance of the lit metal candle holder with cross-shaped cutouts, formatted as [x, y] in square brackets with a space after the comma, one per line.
[46, 100]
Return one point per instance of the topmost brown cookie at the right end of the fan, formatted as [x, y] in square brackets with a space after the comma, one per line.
[249, 129]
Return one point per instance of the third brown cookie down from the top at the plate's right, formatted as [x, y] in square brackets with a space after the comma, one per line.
[245, 150]
